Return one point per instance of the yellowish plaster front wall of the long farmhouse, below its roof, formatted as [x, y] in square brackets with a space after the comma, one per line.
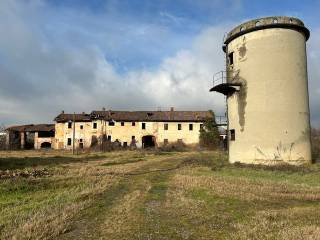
[125, 133]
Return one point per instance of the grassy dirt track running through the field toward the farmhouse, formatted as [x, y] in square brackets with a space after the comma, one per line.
[128, 209]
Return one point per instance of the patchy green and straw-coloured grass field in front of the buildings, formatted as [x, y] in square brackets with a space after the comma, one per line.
[155, 195]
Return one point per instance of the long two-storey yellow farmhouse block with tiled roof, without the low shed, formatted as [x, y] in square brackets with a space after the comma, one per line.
[141, 128]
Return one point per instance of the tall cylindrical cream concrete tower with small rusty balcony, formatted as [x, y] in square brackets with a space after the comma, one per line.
[266, 86]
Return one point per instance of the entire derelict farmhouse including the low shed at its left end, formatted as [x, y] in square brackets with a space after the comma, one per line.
[127, 128]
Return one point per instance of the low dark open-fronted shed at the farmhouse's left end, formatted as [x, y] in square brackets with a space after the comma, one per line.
[32, 136]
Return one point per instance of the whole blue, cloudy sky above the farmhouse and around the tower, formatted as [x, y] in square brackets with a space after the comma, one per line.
[79, 55]
